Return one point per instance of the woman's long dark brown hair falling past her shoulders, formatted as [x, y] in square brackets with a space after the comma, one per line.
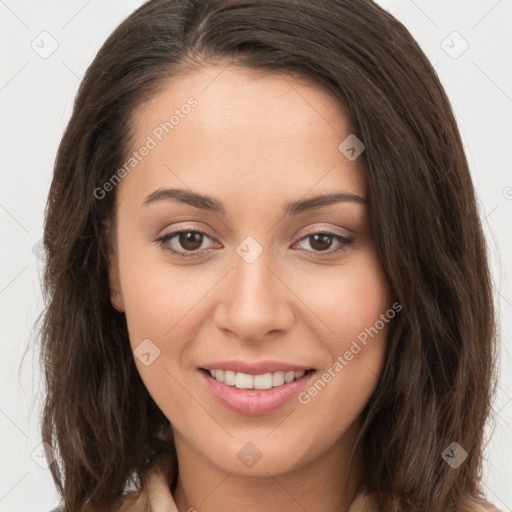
[439, 376]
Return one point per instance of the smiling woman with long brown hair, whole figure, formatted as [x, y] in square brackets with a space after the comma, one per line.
[267, 280]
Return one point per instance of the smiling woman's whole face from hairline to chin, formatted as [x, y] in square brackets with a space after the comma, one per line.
[256, 292]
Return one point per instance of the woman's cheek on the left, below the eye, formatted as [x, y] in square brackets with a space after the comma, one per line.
[161, 306]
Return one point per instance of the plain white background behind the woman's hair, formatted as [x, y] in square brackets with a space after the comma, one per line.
[468, 42]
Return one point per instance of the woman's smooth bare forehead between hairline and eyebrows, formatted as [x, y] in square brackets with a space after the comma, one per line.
[247, 129]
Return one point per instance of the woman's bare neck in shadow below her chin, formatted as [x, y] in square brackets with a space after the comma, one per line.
[323, 484]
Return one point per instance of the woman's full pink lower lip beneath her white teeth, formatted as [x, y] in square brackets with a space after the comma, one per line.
[254, 402]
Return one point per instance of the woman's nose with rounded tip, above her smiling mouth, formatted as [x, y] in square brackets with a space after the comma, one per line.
[255, 301]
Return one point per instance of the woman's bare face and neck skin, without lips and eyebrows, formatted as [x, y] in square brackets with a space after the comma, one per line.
[255, 141]
